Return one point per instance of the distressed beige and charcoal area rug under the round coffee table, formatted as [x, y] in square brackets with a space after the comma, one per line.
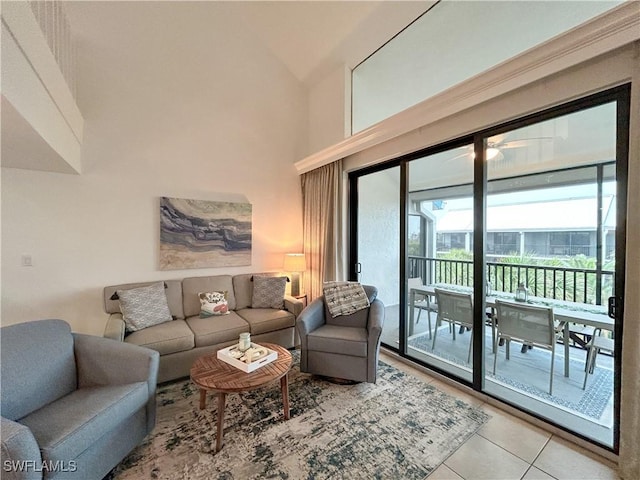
[398, 428]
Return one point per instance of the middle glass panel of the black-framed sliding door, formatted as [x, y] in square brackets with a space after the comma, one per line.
[441, 202]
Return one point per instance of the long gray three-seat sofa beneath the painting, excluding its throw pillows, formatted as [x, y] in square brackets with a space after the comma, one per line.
[181, 341]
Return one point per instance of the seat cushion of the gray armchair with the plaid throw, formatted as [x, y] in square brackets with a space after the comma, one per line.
[342, 340]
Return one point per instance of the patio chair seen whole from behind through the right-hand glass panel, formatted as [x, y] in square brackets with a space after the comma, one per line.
[529, 324]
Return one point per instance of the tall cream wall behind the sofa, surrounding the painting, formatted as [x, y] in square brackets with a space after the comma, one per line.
[200, 112]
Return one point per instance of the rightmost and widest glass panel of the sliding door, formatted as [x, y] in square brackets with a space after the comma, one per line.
[551, 228]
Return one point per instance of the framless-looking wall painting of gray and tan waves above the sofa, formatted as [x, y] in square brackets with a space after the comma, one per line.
[200, 234]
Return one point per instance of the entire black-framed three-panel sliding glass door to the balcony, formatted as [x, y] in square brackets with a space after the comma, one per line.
[515, 225]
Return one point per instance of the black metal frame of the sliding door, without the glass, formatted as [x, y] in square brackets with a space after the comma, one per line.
[621, 96]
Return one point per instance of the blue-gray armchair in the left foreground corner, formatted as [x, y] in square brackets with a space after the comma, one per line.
[73, 406]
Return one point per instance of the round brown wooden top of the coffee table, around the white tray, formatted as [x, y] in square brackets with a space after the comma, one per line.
[209, 373]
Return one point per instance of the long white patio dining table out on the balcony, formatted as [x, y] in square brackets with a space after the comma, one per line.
[564, 312]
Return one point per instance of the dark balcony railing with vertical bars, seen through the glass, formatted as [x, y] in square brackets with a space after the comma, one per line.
[580, 285]
